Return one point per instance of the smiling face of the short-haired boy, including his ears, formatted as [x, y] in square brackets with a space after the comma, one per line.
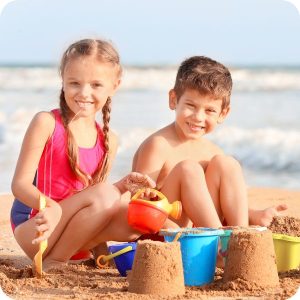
[196, 114]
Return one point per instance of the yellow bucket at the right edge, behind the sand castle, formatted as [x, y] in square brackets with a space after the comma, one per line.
[287, 250]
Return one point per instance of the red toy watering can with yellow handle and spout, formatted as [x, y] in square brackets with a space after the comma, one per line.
[149, 216]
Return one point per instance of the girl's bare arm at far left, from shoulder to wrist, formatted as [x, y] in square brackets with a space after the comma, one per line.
[38, 132]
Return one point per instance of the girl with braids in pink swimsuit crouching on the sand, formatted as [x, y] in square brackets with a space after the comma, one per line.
[66, 156]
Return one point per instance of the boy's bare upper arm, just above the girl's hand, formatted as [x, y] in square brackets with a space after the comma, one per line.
[150, 157]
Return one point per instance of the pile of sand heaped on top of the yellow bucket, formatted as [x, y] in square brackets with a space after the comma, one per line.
[285, 225]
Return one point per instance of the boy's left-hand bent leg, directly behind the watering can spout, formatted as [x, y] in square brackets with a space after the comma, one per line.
[186, 183]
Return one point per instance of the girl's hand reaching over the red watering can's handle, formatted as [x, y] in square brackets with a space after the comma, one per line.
[135, 181]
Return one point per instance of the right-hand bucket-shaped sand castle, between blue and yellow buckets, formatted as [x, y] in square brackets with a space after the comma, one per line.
[251, 257]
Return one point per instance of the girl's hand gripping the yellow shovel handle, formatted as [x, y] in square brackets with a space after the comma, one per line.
[46, 221]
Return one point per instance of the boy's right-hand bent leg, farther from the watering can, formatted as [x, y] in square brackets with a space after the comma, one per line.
[225, 182]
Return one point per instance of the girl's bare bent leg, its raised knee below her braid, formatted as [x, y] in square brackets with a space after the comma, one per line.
[82, 214]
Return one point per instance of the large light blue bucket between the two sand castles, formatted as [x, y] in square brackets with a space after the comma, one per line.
[199, 249]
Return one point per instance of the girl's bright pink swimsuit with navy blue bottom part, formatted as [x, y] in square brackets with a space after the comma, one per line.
[54, 176]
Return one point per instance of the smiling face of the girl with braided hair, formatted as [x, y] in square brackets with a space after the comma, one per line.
[87, 83]
